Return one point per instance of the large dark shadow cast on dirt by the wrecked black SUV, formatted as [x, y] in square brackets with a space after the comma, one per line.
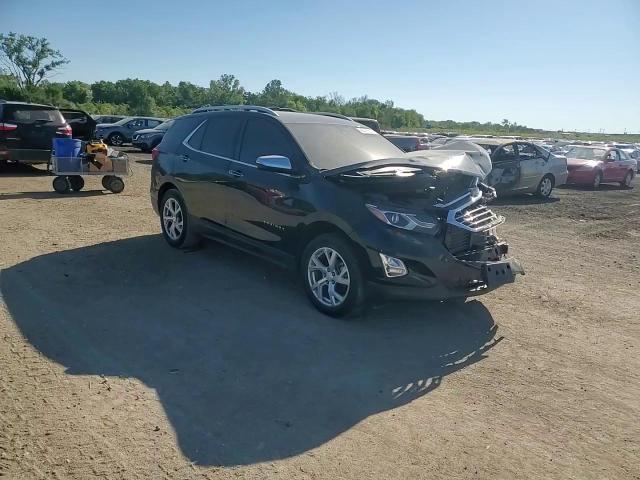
[246, 370]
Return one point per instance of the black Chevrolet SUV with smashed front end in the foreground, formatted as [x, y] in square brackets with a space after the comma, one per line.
[332, 199]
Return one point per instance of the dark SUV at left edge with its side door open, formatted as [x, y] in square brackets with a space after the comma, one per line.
[27, 130]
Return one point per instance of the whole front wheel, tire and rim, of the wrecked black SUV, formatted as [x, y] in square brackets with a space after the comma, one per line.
[316, 255]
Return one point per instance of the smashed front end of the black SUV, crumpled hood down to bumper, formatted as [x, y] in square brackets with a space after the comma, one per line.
[444, 234]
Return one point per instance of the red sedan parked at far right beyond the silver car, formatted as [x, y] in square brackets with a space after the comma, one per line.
[595, 165]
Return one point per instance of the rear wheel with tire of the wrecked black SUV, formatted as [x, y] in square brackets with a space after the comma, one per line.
[187, 237]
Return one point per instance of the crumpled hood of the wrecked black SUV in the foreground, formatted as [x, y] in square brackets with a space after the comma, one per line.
[415, 181]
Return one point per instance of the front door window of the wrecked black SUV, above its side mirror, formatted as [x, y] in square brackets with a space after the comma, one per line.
[264, 137]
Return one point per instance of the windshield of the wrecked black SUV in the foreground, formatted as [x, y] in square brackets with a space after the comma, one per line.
[329, 146]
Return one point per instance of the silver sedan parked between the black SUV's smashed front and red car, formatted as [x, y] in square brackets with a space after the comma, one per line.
[519, 166]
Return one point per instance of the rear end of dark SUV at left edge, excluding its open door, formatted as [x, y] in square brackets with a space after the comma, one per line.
[29, 131]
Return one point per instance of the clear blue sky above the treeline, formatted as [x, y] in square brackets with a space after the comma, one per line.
[571, 64]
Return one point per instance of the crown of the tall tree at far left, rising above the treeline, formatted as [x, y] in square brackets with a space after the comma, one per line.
[28, 59]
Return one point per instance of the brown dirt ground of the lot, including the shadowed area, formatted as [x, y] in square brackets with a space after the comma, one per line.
[123, 358]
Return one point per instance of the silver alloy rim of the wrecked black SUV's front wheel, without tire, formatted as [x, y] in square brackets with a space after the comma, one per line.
[328, 277]
